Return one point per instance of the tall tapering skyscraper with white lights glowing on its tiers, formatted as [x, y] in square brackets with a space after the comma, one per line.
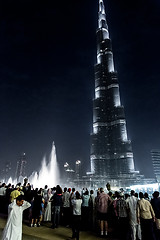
[111, 151]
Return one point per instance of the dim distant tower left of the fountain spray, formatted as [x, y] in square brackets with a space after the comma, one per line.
[21, 166]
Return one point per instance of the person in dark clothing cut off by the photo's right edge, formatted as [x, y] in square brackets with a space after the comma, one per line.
[155, 202]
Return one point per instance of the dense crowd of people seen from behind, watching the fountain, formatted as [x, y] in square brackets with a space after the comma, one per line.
[126, 216]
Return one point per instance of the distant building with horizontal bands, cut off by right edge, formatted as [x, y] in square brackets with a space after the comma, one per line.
[155, 156]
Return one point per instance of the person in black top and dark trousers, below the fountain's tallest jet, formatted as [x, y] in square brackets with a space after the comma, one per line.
[57, 203]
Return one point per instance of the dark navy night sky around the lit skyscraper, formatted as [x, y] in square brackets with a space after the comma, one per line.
[47, 57]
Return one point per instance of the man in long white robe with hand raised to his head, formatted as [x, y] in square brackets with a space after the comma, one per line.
[13, 228]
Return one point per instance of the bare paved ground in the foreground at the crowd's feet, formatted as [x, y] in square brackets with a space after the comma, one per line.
[45, 232]
